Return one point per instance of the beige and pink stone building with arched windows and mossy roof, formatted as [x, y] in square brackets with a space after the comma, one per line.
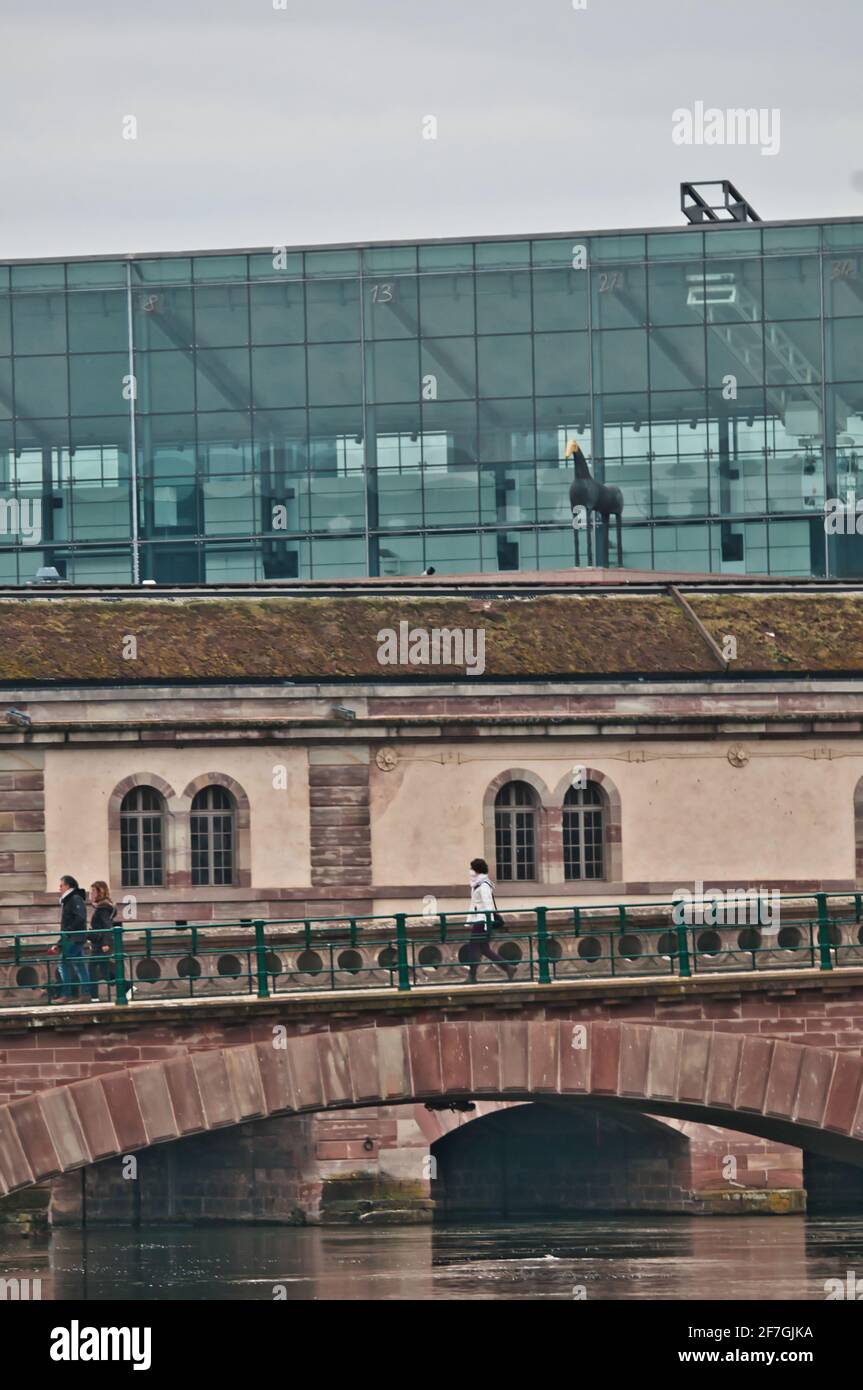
[345, 750]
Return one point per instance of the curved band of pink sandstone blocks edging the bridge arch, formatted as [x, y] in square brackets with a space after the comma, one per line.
[796, 1095]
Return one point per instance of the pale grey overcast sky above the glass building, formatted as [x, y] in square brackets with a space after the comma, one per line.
[262, 126]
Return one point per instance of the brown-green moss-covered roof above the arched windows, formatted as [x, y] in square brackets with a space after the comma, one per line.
[290, 637]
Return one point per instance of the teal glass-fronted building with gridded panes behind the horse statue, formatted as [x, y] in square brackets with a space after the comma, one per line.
[330, 414]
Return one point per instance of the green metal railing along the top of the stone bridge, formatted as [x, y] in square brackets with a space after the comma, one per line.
[409, 951]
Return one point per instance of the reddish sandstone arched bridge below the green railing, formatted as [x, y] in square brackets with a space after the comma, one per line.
[776, 1057]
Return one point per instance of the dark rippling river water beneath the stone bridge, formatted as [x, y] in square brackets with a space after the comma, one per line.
[757, 1259]
